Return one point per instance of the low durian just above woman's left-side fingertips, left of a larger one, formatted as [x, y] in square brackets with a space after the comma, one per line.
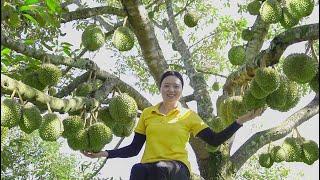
[79, 141]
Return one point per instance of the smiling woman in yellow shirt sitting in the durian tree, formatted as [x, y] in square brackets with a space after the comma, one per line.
[166, 128]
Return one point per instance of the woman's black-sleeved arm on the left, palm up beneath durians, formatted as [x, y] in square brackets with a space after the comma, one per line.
[128, 151]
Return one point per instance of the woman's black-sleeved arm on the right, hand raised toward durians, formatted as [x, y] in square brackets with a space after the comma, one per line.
[215, 139]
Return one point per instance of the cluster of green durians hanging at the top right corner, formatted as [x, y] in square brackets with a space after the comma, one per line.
[288, 12]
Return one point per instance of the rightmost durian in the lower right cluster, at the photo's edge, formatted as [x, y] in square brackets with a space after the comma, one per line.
[310, 151]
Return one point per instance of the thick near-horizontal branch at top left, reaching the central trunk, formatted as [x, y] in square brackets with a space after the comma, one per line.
[91, 12]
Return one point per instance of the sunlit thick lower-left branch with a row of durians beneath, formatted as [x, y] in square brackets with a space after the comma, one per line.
[8, 85]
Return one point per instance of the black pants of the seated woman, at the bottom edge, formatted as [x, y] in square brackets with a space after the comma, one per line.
[161, 170]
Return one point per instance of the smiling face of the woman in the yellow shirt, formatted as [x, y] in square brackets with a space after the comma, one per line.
[171, 89]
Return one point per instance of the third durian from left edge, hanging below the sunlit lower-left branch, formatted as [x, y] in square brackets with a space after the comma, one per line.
[51, 127]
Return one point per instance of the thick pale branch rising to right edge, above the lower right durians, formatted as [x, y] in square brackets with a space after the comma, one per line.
[258, 140]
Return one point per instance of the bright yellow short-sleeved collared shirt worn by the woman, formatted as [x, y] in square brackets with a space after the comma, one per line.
[168, 135]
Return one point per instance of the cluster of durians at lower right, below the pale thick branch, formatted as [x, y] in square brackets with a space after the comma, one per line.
[292, 150]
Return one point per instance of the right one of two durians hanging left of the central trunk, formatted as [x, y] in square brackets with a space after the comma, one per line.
[123, 39]
